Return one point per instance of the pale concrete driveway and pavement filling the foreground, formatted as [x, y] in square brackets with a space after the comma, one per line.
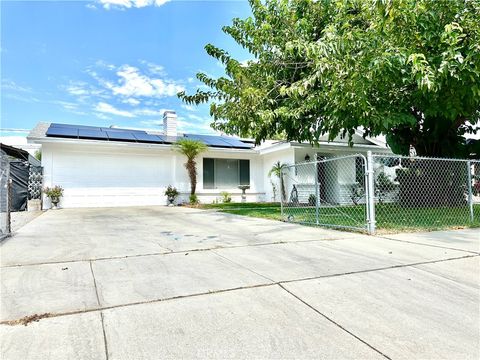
[158, 282]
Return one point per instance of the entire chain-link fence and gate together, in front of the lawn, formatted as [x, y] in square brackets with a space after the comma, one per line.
[382, 193]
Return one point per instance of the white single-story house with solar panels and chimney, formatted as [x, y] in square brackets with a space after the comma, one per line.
[108, 166]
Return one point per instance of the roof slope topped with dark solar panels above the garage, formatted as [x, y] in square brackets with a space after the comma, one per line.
[109, 134]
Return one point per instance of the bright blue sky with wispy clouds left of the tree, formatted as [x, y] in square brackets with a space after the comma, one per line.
[109, 62]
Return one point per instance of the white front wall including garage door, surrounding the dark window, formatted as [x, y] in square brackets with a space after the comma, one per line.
[96, 175]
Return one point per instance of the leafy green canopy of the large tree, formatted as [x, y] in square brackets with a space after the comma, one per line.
[408, 69]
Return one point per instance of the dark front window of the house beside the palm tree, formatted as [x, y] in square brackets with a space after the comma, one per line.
[225, 173]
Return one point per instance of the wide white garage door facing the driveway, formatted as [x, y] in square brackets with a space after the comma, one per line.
[109, 179]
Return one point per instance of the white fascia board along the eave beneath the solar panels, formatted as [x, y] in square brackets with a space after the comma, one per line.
[124, 144]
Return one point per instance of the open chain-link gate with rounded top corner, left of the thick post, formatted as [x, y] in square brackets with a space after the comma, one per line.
[328, 192]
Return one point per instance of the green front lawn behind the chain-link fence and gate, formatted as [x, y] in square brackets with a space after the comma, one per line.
[389, 217]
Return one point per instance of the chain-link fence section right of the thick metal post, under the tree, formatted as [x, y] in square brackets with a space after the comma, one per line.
[425, 193]
